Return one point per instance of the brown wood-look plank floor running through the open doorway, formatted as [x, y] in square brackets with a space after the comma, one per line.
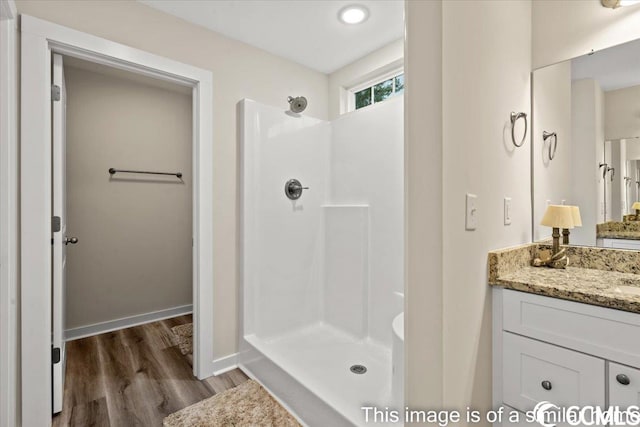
[133, 377]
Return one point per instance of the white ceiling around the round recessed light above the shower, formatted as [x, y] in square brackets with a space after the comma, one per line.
[304, 31]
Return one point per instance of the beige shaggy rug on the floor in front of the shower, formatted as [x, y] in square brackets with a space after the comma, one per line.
[247, 405]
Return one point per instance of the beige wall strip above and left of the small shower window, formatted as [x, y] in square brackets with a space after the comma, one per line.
[378, 62]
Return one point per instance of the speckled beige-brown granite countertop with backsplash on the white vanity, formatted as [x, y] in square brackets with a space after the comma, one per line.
[604, 277]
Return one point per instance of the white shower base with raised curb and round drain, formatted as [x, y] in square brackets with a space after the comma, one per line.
[314, 364]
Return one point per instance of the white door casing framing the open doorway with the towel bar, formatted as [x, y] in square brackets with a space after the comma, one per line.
[39, 39]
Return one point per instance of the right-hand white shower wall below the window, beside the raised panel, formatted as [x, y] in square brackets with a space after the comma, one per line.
[367, 158]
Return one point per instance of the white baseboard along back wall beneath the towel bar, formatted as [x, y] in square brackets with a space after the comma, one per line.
[126, 322]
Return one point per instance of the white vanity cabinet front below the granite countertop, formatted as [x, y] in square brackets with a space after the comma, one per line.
[563, 352]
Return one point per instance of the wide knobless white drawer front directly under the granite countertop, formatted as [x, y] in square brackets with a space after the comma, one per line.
[602, 332]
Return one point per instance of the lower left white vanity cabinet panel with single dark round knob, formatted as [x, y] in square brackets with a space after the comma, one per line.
[533, 372]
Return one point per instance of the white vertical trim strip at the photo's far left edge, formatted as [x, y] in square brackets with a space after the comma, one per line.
[8, 213]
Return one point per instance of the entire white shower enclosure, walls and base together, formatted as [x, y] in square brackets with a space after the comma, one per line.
[322, 276]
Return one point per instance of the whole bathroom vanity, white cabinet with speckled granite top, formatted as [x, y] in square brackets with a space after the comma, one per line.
[570, 337]
